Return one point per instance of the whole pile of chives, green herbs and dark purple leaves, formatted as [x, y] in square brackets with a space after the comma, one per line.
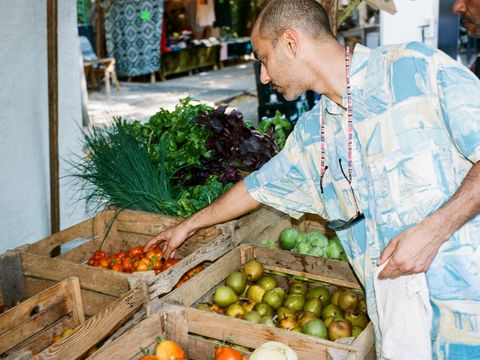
[177, 162]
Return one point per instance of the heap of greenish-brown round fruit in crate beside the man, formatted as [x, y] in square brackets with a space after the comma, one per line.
[254, 295]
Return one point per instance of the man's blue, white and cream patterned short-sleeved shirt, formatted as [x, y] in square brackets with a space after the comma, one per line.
[416, 124]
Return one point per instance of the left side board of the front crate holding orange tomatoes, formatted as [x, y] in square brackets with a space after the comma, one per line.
[128, 345]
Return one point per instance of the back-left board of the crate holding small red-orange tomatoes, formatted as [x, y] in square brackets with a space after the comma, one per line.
[44, 246]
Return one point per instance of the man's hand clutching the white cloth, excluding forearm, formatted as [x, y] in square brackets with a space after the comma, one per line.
[412, 251]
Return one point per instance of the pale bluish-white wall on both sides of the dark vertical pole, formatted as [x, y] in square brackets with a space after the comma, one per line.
[24, 157]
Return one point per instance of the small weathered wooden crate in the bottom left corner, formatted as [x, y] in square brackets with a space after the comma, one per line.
[26, 330]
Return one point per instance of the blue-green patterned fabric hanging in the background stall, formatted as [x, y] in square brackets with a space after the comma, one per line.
[132, 32]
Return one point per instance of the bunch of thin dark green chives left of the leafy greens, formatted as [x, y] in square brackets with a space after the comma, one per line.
[118, 171]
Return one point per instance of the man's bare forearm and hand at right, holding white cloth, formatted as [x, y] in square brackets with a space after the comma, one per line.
[413, 250]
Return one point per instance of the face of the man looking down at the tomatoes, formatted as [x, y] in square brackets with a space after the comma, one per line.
[276, 67]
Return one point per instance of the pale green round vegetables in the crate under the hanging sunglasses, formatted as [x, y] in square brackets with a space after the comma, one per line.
[312, 243]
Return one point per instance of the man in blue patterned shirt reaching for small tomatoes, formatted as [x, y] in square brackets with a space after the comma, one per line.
[388, 156]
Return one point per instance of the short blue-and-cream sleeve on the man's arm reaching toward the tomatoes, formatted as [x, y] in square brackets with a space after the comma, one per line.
[285, 182]
